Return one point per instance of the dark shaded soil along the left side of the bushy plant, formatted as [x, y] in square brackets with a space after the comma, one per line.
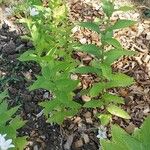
[16, 76]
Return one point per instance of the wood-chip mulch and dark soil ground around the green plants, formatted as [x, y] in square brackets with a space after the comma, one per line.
[78, 133]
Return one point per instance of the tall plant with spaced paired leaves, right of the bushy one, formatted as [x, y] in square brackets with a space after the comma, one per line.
[103, 58]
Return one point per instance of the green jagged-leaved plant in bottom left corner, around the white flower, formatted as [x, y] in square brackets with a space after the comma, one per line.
[9, 125]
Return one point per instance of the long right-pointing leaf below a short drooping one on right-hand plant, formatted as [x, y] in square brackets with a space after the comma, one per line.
[115, 54]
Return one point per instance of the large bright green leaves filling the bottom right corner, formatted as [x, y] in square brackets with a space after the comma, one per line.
[139, 140]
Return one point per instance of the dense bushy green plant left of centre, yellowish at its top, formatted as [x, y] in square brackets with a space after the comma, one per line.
[50, 33]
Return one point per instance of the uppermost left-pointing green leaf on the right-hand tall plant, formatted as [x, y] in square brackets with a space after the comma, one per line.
[90, 25]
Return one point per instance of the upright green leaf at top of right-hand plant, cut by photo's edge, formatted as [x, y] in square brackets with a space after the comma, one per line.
[108, 7]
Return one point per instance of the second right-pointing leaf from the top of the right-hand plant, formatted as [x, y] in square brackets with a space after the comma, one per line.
[120, 24]
